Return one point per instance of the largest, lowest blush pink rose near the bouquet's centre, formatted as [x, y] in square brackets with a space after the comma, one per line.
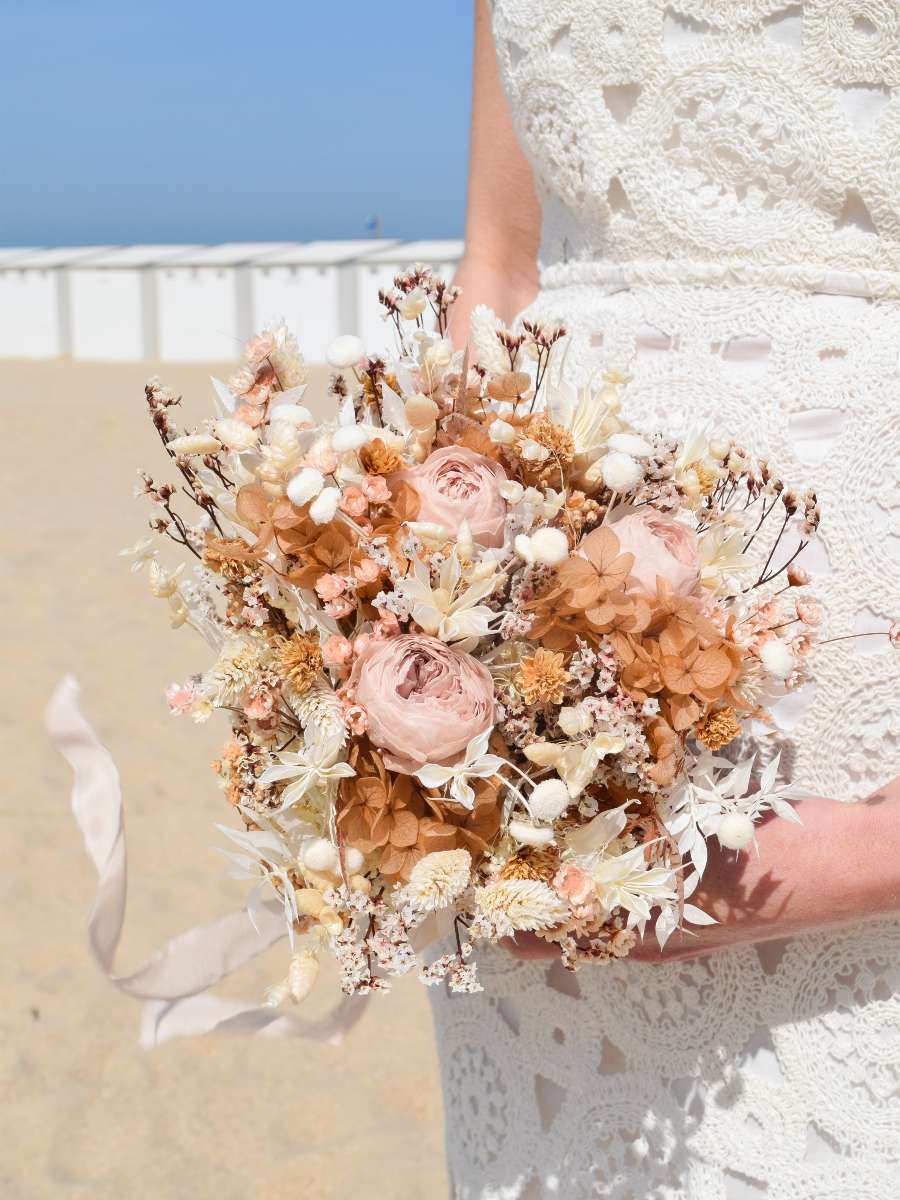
[425, 701]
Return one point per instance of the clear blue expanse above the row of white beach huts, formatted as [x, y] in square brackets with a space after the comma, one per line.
[149, 121]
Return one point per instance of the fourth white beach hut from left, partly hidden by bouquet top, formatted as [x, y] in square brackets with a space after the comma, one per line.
[314, 287]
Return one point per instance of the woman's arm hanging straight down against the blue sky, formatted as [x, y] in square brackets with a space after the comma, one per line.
[500, 266]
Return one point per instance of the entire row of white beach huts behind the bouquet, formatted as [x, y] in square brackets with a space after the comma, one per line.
[194, 304]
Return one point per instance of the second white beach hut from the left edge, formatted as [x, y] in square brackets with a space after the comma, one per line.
[113, 303]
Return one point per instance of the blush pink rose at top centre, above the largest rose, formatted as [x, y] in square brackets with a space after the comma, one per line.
[457, 485]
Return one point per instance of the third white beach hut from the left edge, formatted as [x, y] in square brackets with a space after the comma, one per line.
[205, 309]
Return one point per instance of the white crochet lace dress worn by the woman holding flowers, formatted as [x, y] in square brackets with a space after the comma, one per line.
[722, 194]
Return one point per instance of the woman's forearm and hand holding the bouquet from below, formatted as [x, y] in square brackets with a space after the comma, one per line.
[842, 867]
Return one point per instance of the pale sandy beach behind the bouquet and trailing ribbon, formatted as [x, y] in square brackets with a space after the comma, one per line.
[89, 1114]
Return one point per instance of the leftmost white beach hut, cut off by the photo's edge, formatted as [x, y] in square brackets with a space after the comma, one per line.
[35, 310]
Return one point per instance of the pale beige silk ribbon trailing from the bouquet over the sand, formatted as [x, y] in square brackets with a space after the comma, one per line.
[176, 980]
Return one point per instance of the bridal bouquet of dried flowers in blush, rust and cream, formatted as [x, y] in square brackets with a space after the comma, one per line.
[481, 644]
